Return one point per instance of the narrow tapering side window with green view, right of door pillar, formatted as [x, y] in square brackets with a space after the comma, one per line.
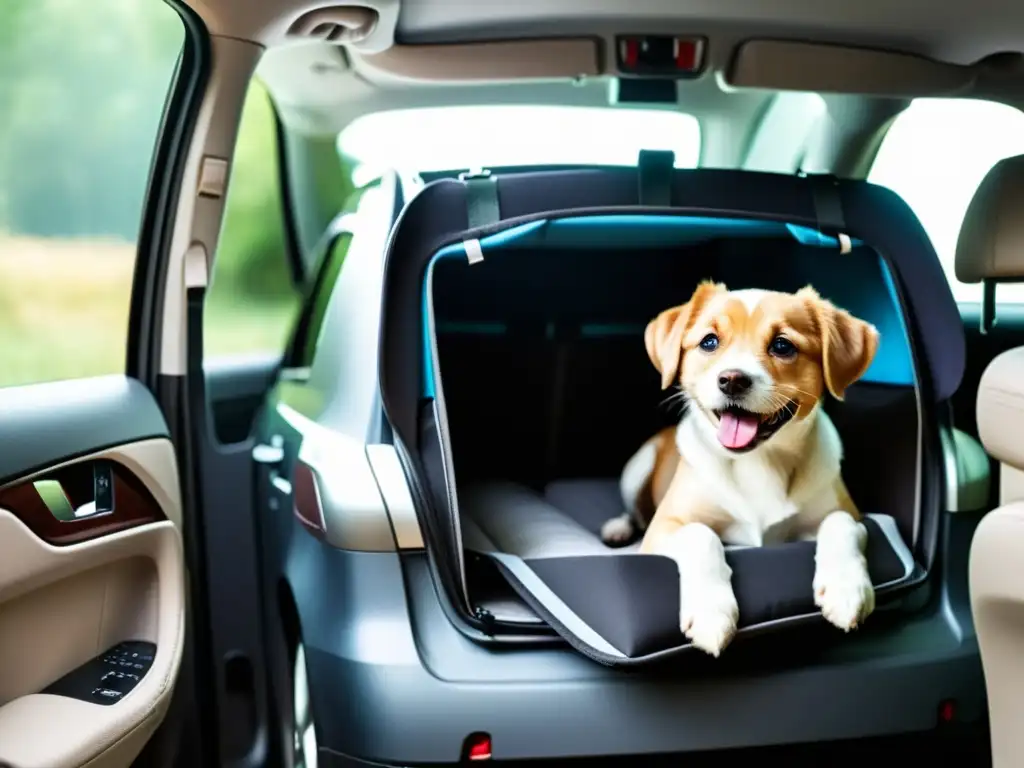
[253, 298]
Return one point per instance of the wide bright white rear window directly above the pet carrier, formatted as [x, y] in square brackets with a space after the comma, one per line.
[450, 138]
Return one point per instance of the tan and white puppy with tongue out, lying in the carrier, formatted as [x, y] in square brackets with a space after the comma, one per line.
[755, 459]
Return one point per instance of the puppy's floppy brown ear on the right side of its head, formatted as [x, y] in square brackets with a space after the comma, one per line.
[848, 345]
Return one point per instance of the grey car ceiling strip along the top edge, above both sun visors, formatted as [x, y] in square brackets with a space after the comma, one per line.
[956, 32]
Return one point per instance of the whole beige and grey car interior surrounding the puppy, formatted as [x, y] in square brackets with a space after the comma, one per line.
[378, 543]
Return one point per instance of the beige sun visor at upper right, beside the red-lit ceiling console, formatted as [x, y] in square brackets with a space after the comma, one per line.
[782, 65]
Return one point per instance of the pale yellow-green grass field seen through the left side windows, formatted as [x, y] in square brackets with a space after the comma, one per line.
[64, 312]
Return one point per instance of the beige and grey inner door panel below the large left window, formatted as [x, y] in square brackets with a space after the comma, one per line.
[83, 571]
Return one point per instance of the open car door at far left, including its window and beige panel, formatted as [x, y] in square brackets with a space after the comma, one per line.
[93, 573]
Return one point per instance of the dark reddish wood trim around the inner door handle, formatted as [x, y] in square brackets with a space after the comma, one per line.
[134, 504]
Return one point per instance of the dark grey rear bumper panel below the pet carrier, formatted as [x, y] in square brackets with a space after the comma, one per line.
[375, 657]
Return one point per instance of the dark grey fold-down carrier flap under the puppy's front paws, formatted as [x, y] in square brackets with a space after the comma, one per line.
[633, 601]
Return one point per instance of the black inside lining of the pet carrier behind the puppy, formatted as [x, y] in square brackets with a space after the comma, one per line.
[567, 405]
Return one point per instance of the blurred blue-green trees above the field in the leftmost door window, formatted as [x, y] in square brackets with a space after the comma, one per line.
[82, 88]
